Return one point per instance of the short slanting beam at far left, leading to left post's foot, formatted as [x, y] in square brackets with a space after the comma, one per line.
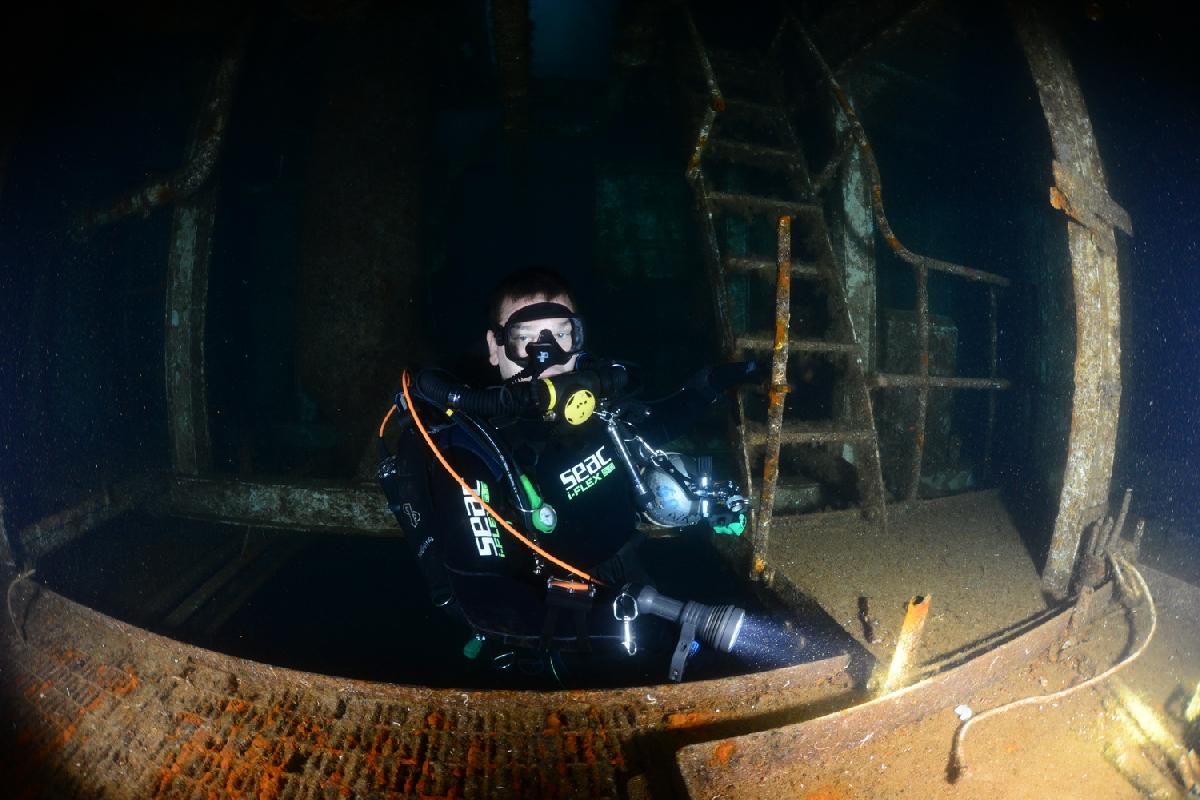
[53, 532]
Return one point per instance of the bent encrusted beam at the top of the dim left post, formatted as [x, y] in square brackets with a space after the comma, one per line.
[205, 151]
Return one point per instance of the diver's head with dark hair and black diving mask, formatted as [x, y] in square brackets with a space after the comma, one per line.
[535, 328]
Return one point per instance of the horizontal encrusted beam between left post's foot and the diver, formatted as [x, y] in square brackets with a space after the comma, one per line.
[347, 508]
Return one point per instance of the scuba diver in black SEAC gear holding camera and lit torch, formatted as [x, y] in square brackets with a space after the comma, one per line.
[523, 501]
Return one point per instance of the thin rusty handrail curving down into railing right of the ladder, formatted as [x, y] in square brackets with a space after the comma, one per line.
[922, 382]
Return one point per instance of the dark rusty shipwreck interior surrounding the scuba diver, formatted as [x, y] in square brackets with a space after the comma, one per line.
[958, 238]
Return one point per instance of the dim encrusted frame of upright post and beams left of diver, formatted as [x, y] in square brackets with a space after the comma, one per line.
[266, 503]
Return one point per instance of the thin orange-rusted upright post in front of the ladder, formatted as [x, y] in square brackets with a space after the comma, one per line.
[778, 393]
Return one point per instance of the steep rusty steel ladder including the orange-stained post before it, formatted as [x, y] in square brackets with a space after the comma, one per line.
[794, 218]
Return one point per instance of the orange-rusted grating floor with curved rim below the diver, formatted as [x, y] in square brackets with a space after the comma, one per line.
[104, 709]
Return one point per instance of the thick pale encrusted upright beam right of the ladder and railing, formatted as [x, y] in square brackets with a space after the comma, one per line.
[1082, 194]
